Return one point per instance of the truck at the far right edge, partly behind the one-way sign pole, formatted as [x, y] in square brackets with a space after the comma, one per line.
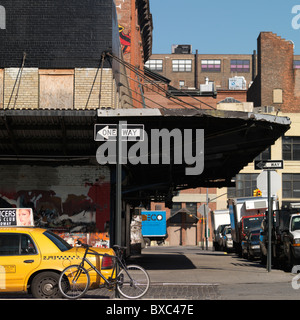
[285, 237]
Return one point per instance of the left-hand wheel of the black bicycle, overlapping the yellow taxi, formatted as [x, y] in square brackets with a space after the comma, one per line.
[73, 282]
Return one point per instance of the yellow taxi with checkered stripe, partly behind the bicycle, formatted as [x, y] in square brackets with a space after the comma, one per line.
[31, 260]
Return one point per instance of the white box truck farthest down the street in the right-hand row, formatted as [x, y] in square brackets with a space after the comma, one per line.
[219, 220]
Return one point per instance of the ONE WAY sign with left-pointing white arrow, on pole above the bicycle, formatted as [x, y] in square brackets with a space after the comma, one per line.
[109, 132]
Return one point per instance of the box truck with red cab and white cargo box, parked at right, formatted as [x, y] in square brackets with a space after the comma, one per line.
[245, 215]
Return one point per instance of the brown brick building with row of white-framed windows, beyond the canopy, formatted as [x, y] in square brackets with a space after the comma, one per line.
[188, 70]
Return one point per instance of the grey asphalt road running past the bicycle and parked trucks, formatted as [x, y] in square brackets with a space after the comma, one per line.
[190, 273]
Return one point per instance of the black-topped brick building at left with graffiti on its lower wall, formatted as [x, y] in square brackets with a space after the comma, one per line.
[53, 78]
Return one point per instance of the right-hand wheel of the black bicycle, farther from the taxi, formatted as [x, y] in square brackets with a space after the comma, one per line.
[133, 282]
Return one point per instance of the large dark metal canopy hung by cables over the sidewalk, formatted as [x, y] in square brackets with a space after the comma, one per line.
[231, 140]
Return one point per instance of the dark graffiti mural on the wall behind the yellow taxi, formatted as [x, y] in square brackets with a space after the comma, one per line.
[80, 209]
